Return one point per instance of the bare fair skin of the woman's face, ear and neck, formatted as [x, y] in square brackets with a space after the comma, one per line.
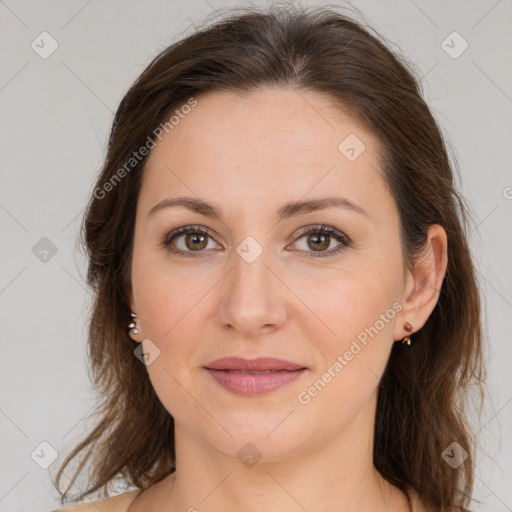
[249, 156]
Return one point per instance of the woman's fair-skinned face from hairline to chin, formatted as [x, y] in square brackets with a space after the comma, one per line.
[255, 284]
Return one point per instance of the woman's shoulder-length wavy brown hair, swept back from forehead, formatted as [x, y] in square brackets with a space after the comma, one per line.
[424, 391]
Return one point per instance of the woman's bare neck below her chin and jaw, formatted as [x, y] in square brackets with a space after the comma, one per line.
[337, 474]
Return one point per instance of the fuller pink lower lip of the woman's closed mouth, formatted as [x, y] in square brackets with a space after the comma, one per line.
[251, 384]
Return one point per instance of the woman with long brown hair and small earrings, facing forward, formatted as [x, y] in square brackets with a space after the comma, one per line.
[286, 310]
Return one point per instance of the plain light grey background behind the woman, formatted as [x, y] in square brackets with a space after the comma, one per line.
[55, 118]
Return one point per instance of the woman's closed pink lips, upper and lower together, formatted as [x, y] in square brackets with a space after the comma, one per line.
[231, 373]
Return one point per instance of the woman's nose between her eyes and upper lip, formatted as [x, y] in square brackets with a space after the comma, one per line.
[254, 297]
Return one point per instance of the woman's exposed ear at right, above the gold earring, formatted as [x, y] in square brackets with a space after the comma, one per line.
[423, 283]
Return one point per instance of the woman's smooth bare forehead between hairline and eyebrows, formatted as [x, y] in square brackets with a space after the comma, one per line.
[273, 142]
